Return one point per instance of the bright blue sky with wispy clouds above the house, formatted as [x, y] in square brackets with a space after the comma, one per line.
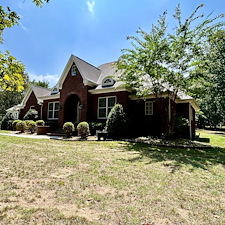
[94, 30]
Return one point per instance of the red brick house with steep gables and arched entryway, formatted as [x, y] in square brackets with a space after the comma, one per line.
[87, 93]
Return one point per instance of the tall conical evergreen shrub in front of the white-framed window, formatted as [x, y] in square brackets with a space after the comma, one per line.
[116, 122]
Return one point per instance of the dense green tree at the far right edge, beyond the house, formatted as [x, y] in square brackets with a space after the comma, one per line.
[211, 96]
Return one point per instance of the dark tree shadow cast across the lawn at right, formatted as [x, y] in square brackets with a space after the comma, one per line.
[197, 158]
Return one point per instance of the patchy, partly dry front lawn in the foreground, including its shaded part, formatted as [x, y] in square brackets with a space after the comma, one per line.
[65, 182]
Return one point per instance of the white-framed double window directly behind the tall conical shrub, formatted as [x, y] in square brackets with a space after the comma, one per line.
[105, 104]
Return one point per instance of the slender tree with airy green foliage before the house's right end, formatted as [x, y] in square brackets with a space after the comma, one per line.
[162, 62]
